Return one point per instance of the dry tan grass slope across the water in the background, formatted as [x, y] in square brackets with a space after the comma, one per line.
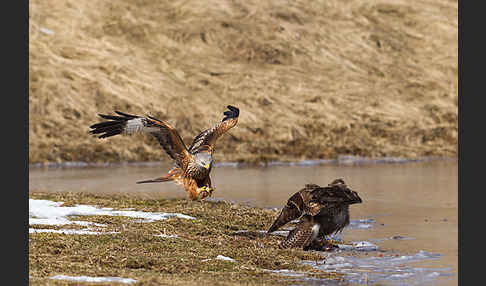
[313, 79]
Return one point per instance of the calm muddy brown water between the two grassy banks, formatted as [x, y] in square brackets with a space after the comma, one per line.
[412, 208]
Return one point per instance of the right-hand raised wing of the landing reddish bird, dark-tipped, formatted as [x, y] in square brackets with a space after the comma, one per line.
[209, 136]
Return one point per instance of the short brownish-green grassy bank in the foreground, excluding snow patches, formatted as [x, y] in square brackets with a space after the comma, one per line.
[134, 252]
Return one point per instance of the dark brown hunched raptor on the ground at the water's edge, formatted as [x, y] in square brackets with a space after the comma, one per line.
[322, 211]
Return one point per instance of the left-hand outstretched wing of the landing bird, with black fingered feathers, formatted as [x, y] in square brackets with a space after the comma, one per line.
[129, 124]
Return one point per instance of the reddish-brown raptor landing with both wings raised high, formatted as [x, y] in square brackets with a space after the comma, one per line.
[191, 165]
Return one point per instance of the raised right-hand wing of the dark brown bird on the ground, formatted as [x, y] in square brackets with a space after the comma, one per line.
[336, 193]
